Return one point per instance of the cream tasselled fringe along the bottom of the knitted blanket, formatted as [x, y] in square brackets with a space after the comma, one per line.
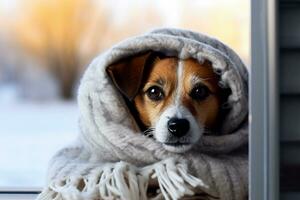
[125, 181]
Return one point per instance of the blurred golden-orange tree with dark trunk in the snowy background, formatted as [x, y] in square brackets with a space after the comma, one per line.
[59, 34]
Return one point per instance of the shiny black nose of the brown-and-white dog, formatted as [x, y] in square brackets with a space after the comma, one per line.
[178, 127]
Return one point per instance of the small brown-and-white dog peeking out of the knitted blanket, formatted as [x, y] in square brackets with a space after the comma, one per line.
[175, 101]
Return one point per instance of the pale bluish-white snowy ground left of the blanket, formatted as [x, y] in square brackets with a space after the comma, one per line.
[30, 133]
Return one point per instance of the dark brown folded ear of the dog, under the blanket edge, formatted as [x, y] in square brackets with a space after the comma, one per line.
[127, 74]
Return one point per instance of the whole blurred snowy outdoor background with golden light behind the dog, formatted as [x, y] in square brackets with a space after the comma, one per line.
[45, 45]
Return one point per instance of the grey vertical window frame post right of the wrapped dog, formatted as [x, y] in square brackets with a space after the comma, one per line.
[264, 97]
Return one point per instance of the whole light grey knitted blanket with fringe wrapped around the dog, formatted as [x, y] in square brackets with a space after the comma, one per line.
[112, 159]
